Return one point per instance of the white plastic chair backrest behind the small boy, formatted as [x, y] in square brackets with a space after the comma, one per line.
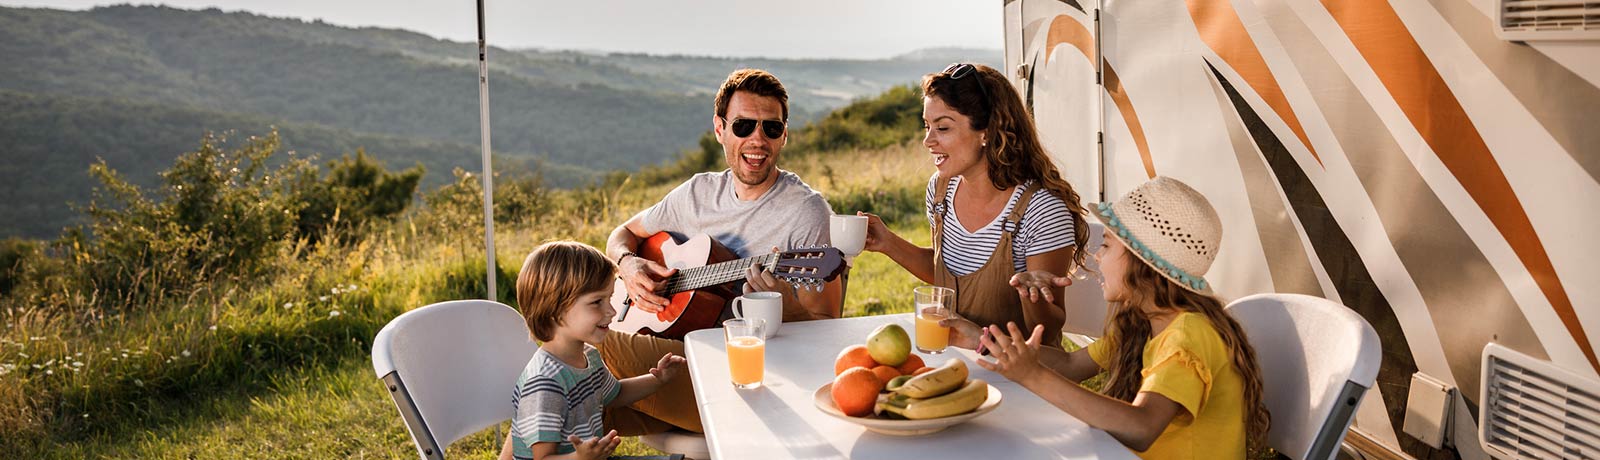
[450, 368]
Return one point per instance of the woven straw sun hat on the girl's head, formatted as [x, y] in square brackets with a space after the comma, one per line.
[1169, 226]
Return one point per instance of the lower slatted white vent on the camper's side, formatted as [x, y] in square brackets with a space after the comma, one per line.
[1534, 410]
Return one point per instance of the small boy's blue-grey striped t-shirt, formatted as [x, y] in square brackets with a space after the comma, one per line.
[554, 402]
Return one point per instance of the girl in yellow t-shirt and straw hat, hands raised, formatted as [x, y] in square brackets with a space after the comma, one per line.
[1183, 378]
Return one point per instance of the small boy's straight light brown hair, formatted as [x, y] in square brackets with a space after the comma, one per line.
[554, 277]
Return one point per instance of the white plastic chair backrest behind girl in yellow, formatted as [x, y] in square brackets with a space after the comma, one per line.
[1318, 359]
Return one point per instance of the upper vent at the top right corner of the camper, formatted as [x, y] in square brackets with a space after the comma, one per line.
[1550, 20]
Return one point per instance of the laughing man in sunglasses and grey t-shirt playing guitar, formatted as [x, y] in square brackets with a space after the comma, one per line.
[753, 208]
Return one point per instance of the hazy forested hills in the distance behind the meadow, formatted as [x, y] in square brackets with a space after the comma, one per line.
[140, 85]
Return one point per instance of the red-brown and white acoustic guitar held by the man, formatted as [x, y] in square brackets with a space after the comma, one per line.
[706, 280]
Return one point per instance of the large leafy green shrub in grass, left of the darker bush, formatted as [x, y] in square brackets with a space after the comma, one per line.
[218, 213]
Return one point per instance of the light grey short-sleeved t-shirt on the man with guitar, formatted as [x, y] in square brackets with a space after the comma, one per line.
[788, 216]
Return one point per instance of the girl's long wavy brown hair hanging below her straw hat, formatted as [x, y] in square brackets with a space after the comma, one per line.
[1132, 331]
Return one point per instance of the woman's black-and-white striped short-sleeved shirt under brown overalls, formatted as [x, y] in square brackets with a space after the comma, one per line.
[1047, 226]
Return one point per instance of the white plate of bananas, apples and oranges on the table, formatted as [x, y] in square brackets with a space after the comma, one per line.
[905, 403]
